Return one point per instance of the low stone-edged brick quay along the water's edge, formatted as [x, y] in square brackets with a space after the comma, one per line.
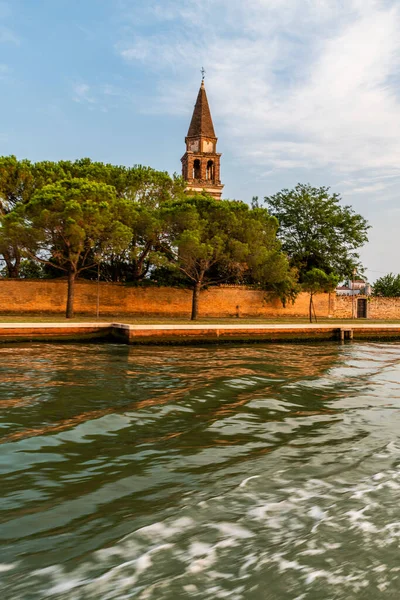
[196, 333]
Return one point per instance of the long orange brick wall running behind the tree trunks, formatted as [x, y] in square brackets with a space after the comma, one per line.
[38, 296]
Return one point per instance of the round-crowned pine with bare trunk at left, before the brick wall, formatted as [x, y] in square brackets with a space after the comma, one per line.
[67, 225]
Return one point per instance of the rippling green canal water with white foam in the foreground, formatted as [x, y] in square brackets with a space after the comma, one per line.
[255, 472]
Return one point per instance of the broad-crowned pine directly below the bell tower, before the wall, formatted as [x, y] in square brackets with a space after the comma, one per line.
[210, 241]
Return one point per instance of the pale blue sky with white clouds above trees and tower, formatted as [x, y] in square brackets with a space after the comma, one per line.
[300, 91]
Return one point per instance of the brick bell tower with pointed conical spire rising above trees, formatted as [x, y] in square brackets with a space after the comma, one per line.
[201, 161]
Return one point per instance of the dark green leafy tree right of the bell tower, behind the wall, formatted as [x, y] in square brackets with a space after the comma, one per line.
[317, 231]
